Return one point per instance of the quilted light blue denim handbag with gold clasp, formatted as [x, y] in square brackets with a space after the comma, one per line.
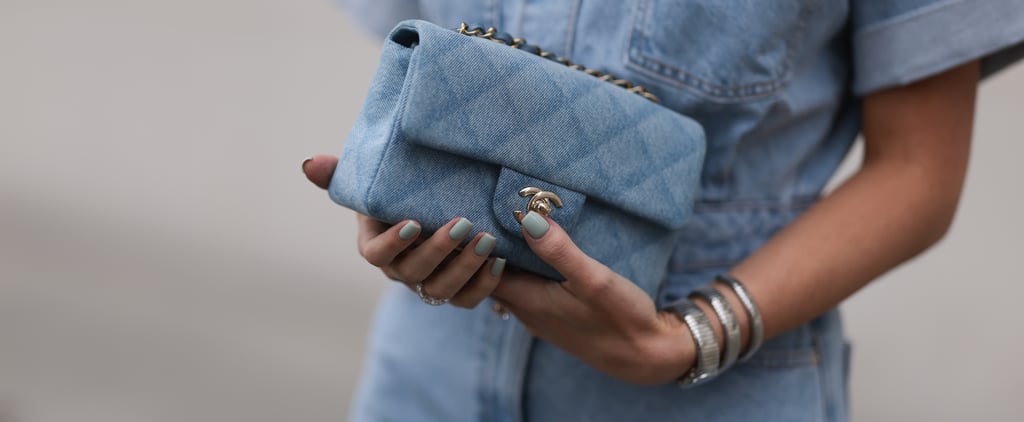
[458, 125]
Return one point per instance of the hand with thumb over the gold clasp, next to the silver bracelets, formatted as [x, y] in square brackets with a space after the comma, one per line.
[595, 315]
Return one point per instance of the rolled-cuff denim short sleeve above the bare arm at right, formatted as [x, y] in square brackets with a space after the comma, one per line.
[897, 43]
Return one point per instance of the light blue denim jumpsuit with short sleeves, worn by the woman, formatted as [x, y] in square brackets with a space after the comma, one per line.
[777, 87]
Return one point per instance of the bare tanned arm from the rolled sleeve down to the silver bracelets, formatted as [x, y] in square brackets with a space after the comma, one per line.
[901, 202]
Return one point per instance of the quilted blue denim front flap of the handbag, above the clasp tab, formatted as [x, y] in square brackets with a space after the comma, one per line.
[496, 104]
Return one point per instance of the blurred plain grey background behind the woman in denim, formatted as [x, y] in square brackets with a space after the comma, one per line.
[162, 259]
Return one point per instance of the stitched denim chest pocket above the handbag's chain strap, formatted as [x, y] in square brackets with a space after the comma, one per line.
[724, 50]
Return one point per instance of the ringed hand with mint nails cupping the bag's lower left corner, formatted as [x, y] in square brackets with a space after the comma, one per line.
[465, 278]
